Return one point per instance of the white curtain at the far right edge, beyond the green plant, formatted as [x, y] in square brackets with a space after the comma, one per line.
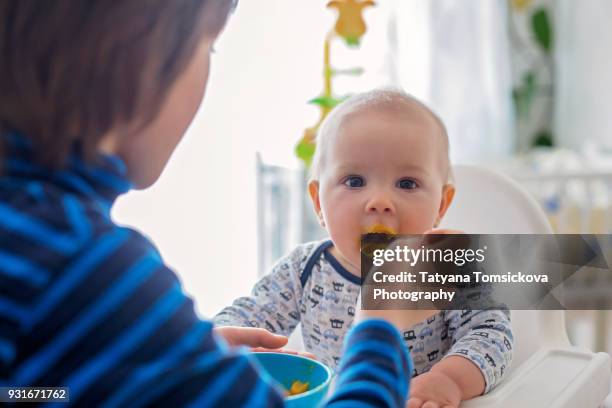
[584, 76]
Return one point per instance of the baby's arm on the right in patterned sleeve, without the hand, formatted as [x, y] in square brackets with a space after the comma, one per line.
[481, 350]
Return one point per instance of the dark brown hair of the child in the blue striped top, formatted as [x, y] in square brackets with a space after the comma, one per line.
[73, 70]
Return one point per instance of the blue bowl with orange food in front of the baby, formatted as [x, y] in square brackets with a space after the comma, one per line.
[287, 368]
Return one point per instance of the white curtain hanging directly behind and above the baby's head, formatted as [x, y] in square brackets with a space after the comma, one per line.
[454, 56]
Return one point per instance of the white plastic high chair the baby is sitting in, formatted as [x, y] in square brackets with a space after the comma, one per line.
[547, 370]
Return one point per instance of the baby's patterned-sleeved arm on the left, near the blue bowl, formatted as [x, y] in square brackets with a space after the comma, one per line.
[274, 300]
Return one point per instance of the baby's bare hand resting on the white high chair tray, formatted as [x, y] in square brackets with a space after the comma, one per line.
[433, 389]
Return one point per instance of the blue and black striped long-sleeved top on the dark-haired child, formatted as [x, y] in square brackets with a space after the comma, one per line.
[90, 305]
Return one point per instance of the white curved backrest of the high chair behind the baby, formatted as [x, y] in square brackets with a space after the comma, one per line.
[487, 202]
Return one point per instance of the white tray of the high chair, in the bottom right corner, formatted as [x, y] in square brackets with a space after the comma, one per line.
[552, 378]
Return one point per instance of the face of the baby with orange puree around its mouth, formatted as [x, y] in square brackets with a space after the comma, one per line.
[384, 170]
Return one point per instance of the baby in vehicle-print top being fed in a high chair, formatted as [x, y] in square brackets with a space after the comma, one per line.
[382, 163]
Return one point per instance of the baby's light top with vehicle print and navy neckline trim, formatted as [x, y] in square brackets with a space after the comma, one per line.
[310, 286]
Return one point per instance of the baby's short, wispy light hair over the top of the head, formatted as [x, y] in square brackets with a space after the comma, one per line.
[384, 99]
